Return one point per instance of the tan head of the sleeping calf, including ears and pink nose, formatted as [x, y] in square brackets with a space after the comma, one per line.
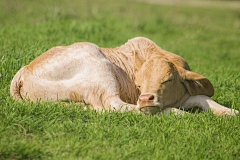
[163, 84]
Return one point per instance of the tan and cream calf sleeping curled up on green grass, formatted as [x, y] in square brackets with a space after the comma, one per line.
[138, 76]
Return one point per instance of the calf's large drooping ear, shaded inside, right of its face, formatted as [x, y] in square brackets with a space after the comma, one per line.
[196, 84]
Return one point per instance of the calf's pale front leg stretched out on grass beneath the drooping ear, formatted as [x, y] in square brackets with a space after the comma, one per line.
[207, 103]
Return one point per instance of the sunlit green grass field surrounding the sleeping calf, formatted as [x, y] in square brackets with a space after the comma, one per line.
[208, 38]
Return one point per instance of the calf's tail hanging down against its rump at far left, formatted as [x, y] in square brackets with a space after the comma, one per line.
[16, 85]
